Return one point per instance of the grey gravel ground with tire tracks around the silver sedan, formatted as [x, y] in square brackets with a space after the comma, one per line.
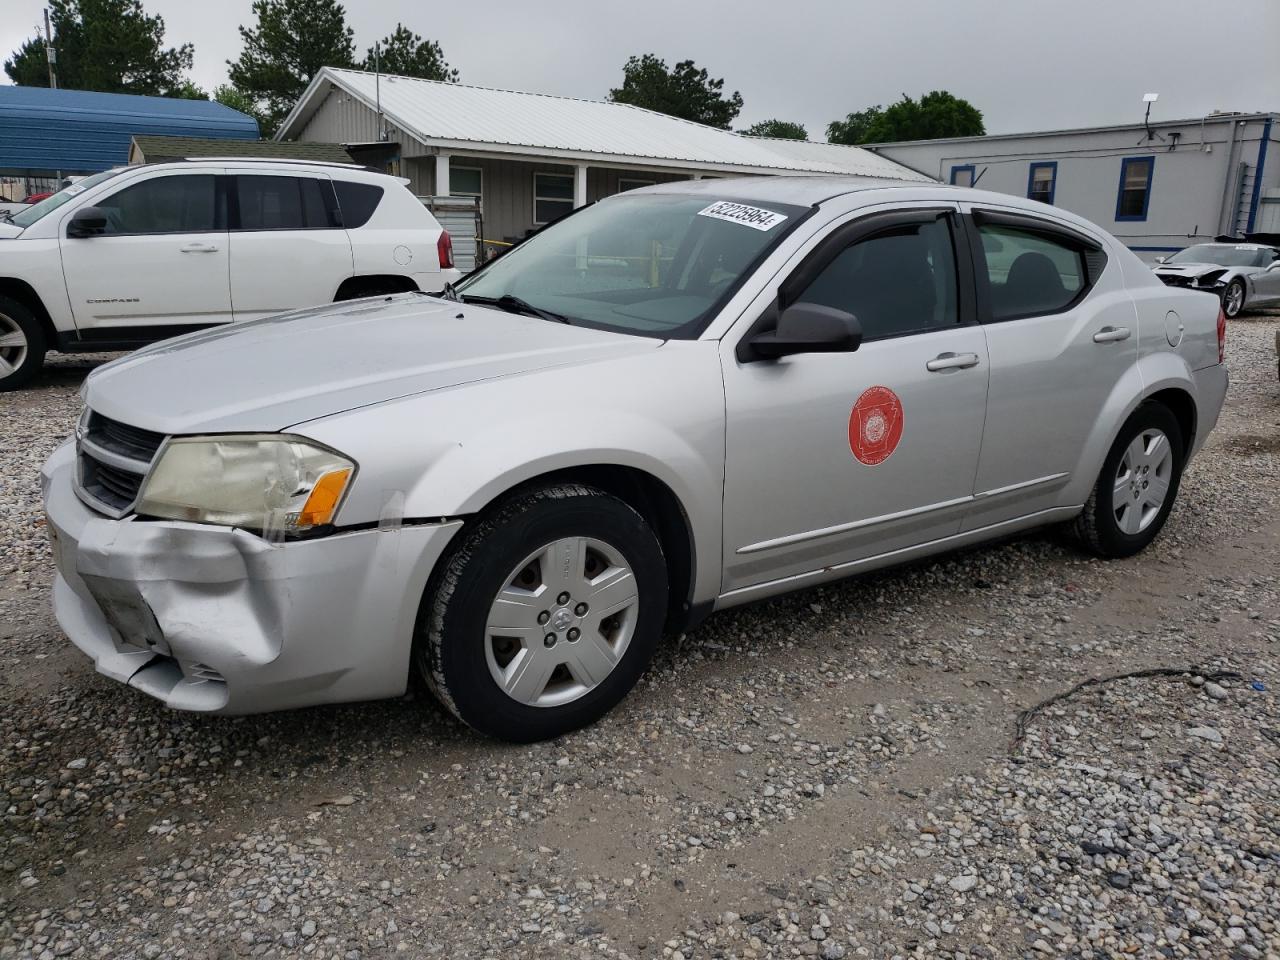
[836, 774]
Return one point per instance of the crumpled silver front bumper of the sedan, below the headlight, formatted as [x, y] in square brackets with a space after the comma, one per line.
[218, 620]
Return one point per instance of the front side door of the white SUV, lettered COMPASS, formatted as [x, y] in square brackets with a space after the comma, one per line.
[162, 260]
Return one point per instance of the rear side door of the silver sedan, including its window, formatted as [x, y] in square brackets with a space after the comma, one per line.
[1062, 332]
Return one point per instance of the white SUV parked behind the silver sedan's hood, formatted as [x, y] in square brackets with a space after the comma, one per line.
[140, 254]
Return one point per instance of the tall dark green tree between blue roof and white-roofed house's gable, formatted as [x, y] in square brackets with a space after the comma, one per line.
[294, 39]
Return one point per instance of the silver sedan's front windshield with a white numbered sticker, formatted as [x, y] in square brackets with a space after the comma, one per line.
[650, 264]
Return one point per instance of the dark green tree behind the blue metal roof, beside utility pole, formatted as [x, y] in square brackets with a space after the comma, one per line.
[113, 47]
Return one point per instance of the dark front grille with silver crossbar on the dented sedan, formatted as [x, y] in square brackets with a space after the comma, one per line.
[115, 459]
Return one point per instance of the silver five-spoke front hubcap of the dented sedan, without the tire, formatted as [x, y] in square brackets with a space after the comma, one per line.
[563, 623]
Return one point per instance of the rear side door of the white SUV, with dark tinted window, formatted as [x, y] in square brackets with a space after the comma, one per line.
[289, 248]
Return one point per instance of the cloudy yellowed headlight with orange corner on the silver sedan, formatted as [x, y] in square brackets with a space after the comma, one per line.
[276, 484]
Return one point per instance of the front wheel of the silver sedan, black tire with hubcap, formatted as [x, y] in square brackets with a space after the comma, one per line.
[545, 615]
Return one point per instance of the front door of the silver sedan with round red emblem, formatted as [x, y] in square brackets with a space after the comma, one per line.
[838, 458]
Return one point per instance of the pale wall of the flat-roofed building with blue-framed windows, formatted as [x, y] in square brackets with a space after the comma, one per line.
[1188, 185]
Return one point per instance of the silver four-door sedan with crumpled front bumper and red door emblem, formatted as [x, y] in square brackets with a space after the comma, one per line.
[671, 403]
